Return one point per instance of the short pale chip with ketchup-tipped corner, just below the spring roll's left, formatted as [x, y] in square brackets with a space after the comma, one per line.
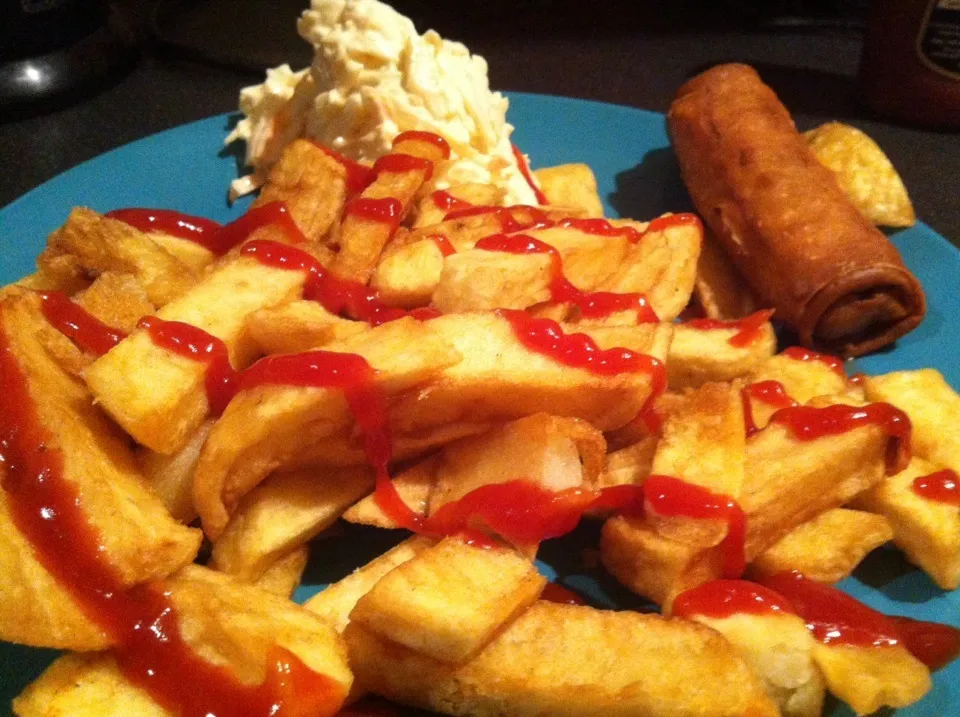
[698, 356]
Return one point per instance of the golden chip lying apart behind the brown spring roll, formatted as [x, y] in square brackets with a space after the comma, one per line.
[864, 173]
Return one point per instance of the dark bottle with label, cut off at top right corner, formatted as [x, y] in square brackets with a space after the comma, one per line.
[910, 67]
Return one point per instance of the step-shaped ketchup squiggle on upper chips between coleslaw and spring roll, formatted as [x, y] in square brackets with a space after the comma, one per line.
[590, 304]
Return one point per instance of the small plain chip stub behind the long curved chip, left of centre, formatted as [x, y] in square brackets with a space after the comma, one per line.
[298, 326]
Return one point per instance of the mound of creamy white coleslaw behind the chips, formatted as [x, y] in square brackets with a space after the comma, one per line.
[372, 77]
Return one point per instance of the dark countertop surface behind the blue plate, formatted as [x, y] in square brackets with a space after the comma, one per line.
[194, 72]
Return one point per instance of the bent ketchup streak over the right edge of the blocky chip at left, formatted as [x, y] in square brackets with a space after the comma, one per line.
[197, 345]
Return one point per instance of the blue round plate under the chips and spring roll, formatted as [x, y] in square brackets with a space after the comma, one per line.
[186, 169]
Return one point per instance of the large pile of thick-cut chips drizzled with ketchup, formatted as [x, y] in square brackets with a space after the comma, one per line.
[691, 441]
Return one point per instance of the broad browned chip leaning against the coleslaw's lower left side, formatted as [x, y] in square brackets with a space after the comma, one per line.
[311, 183]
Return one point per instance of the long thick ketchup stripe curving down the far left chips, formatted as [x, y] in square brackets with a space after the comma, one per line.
[141, 622]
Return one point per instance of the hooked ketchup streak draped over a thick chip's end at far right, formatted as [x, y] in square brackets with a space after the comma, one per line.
[807, 423]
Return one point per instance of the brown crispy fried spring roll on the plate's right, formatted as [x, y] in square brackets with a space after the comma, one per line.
[783, 219]
